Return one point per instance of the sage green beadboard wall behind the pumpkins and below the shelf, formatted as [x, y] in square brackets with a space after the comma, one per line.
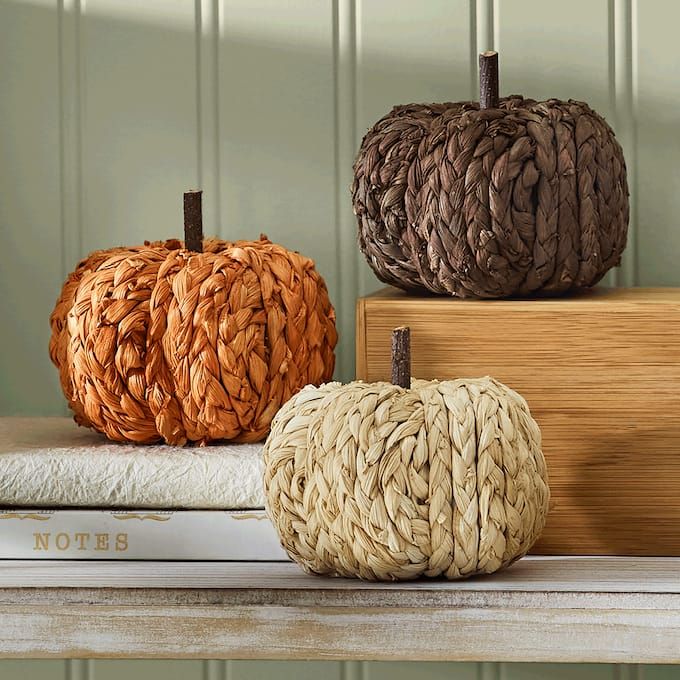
[109, 109]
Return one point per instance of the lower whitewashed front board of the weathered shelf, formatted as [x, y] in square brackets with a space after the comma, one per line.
[272, 632]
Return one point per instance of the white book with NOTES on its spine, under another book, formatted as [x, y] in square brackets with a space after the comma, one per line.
[78, 534]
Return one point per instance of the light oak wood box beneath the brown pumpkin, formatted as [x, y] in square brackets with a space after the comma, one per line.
[601, 374]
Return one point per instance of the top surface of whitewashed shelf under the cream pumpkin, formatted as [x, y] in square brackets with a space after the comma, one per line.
[533, 574]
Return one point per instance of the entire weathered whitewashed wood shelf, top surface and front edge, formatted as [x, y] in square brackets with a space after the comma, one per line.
[541, 609]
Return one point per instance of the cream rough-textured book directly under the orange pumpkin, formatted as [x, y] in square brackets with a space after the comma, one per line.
[53, 463]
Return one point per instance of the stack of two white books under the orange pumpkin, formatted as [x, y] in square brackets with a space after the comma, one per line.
[68, 493]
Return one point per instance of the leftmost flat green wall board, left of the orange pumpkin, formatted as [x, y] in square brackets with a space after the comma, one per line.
[30, 207]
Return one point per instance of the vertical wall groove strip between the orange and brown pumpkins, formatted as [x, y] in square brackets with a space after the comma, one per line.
[344, 72]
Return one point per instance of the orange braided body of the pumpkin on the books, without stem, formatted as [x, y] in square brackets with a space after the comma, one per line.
[159, 343]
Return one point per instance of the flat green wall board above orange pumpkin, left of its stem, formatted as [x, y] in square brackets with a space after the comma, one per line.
[139, 136]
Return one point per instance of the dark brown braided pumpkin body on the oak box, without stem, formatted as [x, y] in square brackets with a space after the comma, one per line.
[529, 197]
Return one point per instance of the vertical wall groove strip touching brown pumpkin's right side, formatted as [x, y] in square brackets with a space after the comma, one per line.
[625, 124]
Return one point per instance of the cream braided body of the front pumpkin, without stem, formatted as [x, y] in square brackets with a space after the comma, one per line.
[374, 481]
